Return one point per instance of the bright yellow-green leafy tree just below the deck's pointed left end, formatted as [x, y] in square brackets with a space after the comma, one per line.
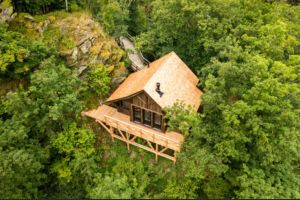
[76, 147]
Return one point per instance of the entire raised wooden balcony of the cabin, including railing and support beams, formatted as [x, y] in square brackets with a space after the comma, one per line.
[119, 126]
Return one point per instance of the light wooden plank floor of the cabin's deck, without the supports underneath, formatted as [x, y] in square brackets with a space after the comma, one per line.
[111, 116]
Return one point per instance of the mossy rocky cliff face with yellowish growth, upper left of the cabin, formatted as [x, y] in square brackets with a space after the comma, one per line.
[77, 38]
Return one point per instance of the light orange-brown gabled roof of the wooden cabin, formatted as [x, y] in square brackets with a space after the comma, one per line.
[177, 82]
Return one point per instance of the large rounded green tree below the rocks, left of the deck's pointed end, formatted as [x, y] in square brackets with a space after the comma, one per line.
[52, 95]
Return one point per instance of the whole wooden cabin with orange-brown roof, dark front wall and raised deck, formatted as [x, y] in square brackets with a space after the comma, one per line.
[135, 109]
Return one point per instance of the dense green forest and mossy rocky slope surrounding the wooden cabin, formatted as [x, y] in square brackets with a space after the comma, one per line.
[245, 142]
